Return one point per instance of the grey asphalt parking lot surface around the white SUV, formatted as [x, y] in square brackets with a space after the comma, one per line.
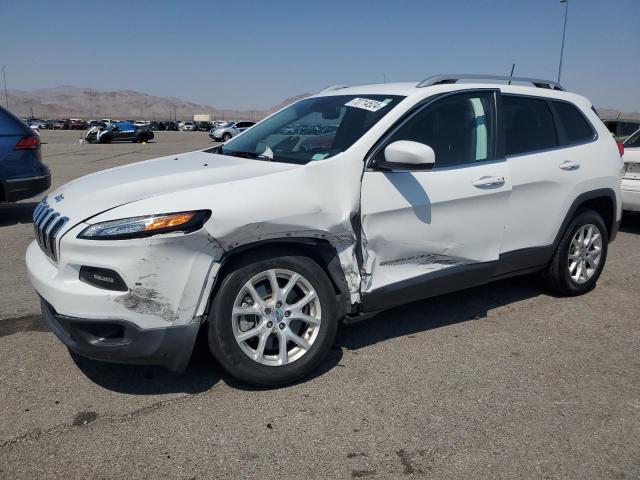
[500, 381]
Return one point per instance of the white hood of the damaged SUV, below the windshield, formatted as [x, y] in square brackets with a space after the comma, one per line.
[101, 191]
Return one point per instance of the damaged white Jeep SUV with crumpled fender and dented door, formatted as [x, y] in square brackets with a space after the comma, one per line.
[272, 239]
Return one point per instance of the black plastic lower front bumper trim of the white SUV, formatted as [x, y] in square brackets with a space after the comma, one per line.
[119, 341]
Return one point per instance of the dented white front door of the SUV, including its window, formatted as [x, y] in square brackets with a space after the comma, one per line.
[417, 224]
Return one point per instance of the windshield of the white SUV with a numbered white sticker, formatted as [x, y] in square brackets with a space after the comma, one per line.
[311, 129]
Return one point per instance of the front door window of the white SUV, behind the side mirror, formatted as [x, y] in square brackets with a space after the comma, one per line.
[459, 128]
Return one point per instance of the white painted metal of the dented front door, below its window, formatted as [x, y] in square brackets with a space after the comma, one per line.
[437, 212]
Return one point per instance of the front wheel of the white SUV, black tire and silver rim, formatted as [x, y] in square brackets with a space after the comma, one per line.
[224, 325]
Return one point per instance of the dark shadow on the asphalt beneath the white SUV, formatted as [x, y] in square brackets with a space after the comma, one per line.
[204, 372]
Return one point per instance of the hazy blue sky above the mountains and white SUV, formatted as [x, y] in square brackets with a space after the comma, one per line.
[246, 54]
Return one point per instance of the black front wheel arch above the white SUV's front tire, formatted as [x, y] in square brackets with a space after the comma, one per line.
[319, 250]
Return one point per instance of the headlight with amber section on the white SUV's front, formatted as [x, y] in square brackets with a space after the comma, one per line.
[139, 227]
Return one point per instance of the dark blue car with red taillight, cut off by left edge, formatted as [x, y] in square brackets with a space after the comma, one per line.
[22, 173]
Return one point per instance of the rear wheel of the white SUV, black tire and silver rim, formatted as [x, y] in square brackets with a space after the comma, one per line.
[560, 276]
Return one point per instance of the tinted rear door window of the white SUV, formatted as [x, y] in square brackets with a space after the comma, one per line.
[528, 125]
